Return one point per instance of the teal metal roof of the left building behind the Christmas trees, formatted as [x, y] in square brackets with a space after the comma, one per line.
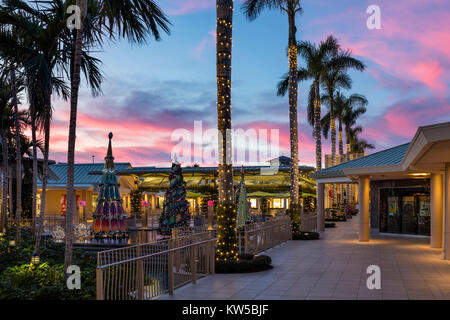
[82, 176]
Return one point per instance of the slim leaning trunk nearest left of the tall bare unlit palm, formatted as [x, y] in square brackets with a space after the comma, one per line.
[40, 223]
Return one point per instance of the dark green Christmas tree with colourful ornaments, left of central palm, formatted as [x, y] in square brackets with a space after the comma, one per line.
[175, 206]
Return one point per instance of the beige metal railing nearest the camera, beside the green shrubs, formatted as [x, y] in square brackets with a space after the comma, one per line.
[151, 274]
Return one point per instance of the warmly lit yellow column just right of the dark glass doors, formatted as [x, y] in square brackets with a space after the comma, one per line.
[436, 202]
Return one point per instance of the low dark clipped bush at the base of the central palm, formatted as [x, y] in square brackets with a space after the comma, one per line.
[246, 263]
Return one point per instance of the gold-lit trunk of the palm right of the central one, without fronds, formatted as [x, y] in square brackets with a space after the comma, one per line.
[293, 118]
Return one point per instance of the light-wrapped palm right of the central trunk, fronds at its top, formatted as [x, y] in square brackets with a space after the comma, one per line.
[252, 9]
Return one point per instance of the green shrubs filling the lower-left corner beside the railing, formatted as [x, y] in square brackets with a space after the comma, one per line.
[20, 280]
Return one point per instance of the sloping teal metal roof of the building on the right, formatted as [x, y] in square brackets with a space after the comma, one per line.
[386, 157]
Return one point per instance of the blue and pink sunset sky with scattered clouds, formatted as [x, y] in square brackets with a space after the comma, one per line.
[154, 89]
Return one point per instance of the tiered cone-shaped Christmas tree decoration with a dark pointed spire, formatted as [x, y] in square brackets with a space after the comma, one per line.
[110, 220]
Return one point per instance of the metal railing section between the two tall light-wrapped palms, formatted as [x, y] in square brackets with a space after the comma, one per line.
[257, 237]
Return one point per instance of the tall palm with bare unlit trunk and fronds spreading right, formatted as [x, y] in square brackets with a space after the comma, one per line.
[135, 21]
